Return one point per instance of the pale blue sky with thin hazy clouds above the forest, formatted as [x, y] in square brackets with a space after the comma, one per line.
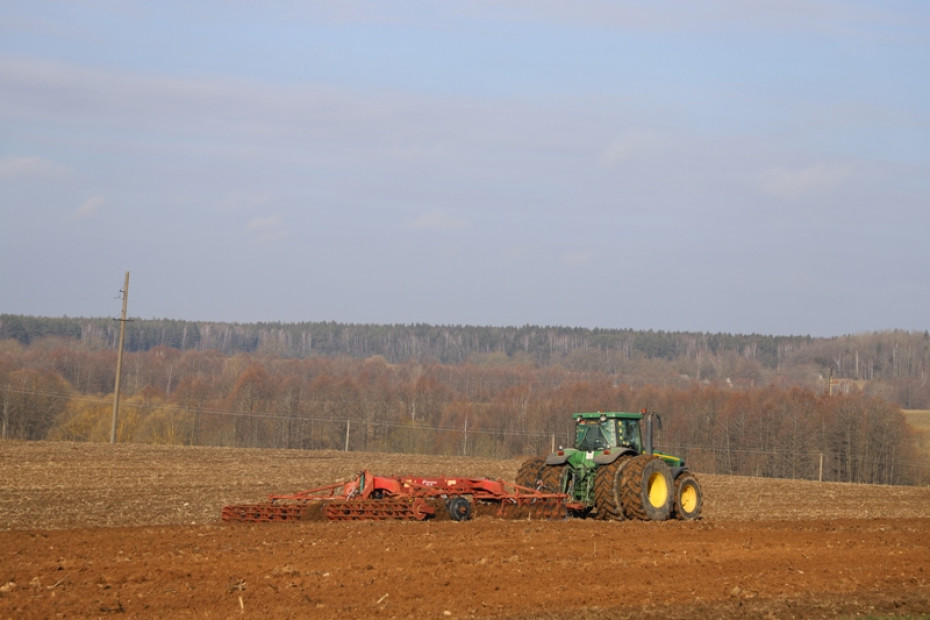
[735, 166]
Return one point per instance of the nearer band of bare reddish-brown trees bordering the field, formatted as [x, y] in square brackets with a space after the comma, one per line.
[490, 405]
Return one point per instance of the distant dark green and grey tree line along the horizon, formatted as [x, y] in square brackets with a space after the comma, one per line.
[894, 365]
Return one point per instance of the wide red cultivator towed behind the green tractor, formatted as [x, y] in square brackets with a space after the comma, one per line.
[372, 498]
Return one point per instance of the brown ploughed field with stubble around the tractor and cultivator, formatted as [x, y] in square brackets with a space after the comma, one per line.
[91, 530]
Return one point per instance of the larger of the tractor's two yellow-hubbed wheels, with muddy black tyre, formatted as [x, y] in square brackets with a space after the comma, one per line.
[647, 489]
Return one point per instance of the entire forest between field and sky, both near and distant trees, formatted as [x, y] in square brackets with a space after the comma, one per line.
[793, 407]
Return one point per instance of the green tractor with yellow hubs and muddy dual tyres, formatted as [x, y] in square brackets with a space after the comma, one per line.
[613, 473]
